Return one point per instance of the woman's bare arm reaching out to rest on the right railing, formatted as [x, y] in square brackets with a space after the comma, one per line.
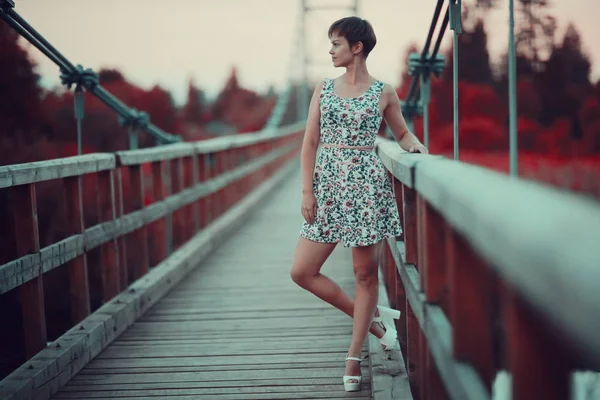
[392, 113]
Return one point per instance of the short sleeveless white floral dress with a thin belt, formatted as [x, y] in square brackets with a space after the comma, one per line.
[355, 198]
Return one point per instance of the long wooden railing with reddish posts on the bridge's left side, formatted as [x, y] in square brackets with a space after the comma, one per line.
[172, 193]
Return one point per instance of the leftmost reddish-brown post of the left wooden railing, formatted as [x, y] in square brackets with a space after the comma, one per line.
[31, 293]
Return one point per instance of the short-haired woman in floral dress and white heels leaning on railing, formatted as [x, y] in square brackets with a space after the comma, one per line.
[346, 193]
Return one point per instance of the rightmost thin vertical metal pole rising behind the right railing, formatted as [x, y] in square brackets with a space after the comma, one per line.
[512, 92]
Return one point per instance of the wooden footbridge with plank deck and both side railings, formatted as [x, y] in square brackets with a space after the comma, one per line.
[493, 274]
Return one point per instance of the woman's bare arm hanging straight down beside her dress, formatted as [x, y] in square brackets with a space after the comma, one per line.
[311, 141]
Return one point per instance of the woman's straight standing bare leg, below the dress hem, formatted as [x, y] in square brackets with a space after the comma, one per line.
[366, 263]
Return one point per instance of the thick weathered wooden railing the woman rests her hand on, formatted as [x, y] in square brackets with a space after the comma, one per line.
[492, 274]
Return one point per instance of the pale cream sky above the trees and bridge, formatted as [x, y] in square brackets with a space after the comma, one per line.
[172, 42]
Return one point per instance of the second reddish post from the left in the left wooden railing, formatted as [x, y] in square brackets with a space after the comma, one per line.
[79, 291]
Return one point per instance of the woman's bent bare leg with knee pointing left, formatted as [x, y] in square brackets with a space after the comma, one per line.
[308, 260]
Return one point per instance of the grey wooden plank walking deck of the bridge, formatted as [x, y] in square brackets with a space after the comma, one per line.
[236, 328]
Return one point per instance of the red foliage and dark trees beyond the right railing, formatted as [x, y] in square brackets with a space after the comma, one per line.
[558, 115]
